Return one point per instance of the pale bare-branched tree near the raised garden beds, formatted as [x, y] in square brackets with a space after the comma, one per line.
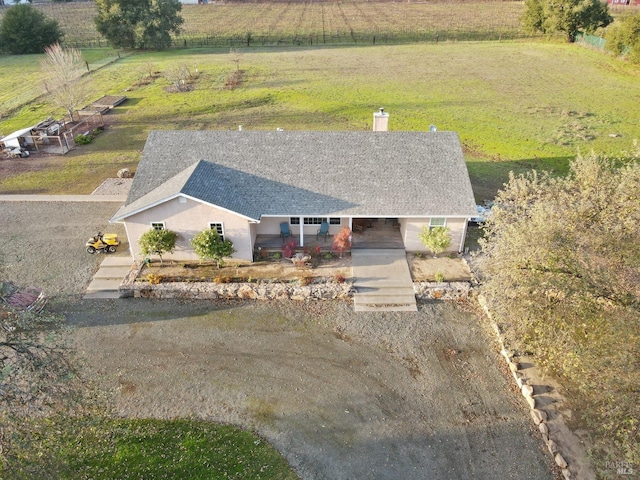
[63, 69]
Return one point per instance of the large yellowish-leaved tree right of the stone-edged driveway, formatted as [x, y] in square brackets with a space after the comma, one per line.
[562, 259]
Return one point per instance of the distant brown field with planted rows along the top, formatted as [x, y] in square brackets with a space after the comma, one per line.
[306, 23]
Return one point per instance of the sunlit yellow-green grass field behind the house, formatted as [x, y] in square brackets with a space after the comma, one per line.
[515, 105]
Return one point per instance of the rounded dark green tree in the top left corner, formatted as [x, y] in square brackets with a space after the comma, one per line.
[27, 30]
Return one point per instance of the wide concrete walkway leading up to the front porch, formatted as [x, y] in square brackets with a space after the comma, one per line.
[382, 281]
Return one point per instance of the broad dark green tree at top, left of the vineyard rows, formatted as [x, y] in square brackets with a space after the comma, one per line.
[138, 23]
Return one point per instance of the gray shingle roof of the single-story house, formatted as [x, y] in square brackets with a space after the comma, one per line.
[293, 173]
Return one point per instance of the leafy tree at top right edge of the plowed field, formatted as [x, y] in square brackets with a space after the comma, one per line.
[565, 16]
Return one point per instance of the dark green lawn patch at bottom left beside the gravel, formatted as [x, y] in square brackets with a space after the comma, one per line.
[100, 448]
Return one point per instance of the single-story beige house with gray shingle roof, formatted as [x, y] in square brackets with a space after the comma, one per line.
[246, 184]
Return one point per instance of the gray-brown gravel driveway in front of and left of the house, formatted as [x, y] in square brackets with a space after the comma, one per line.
[342, 395]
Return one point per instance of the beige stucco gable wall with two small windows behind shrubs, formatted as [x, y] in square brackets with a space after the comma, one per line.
[187, 219]
